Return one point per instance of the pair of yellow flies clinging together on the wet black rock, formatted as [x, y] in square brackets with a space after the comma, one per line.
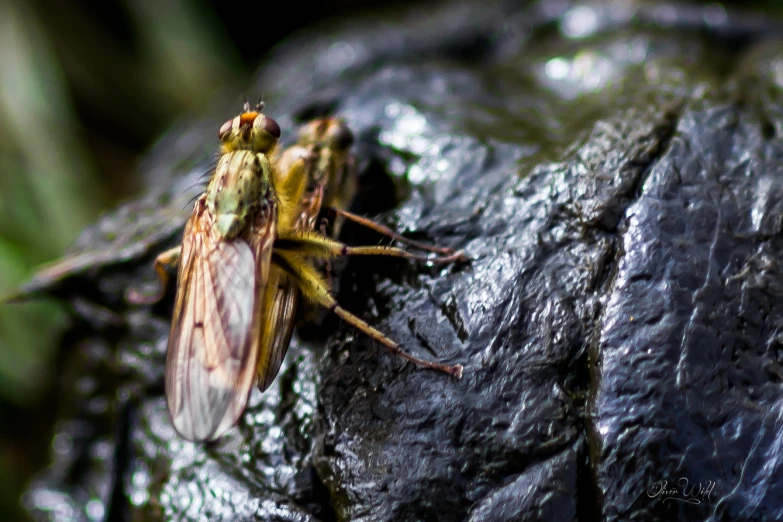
[247, 254]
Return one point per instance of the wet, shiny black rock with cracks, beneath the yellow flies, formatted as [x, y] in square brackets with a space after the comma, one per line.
[615, 174]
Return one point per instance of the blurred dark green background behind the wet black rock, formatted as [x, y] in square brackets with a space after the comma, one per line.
[84, 92]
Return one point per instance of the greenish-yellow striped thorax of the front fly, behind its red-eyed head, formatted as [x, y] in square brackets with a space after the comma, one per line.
[235, 193]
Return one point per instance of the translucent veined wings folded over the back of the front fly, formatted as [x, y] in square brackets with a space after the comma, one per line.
[210, 366]
